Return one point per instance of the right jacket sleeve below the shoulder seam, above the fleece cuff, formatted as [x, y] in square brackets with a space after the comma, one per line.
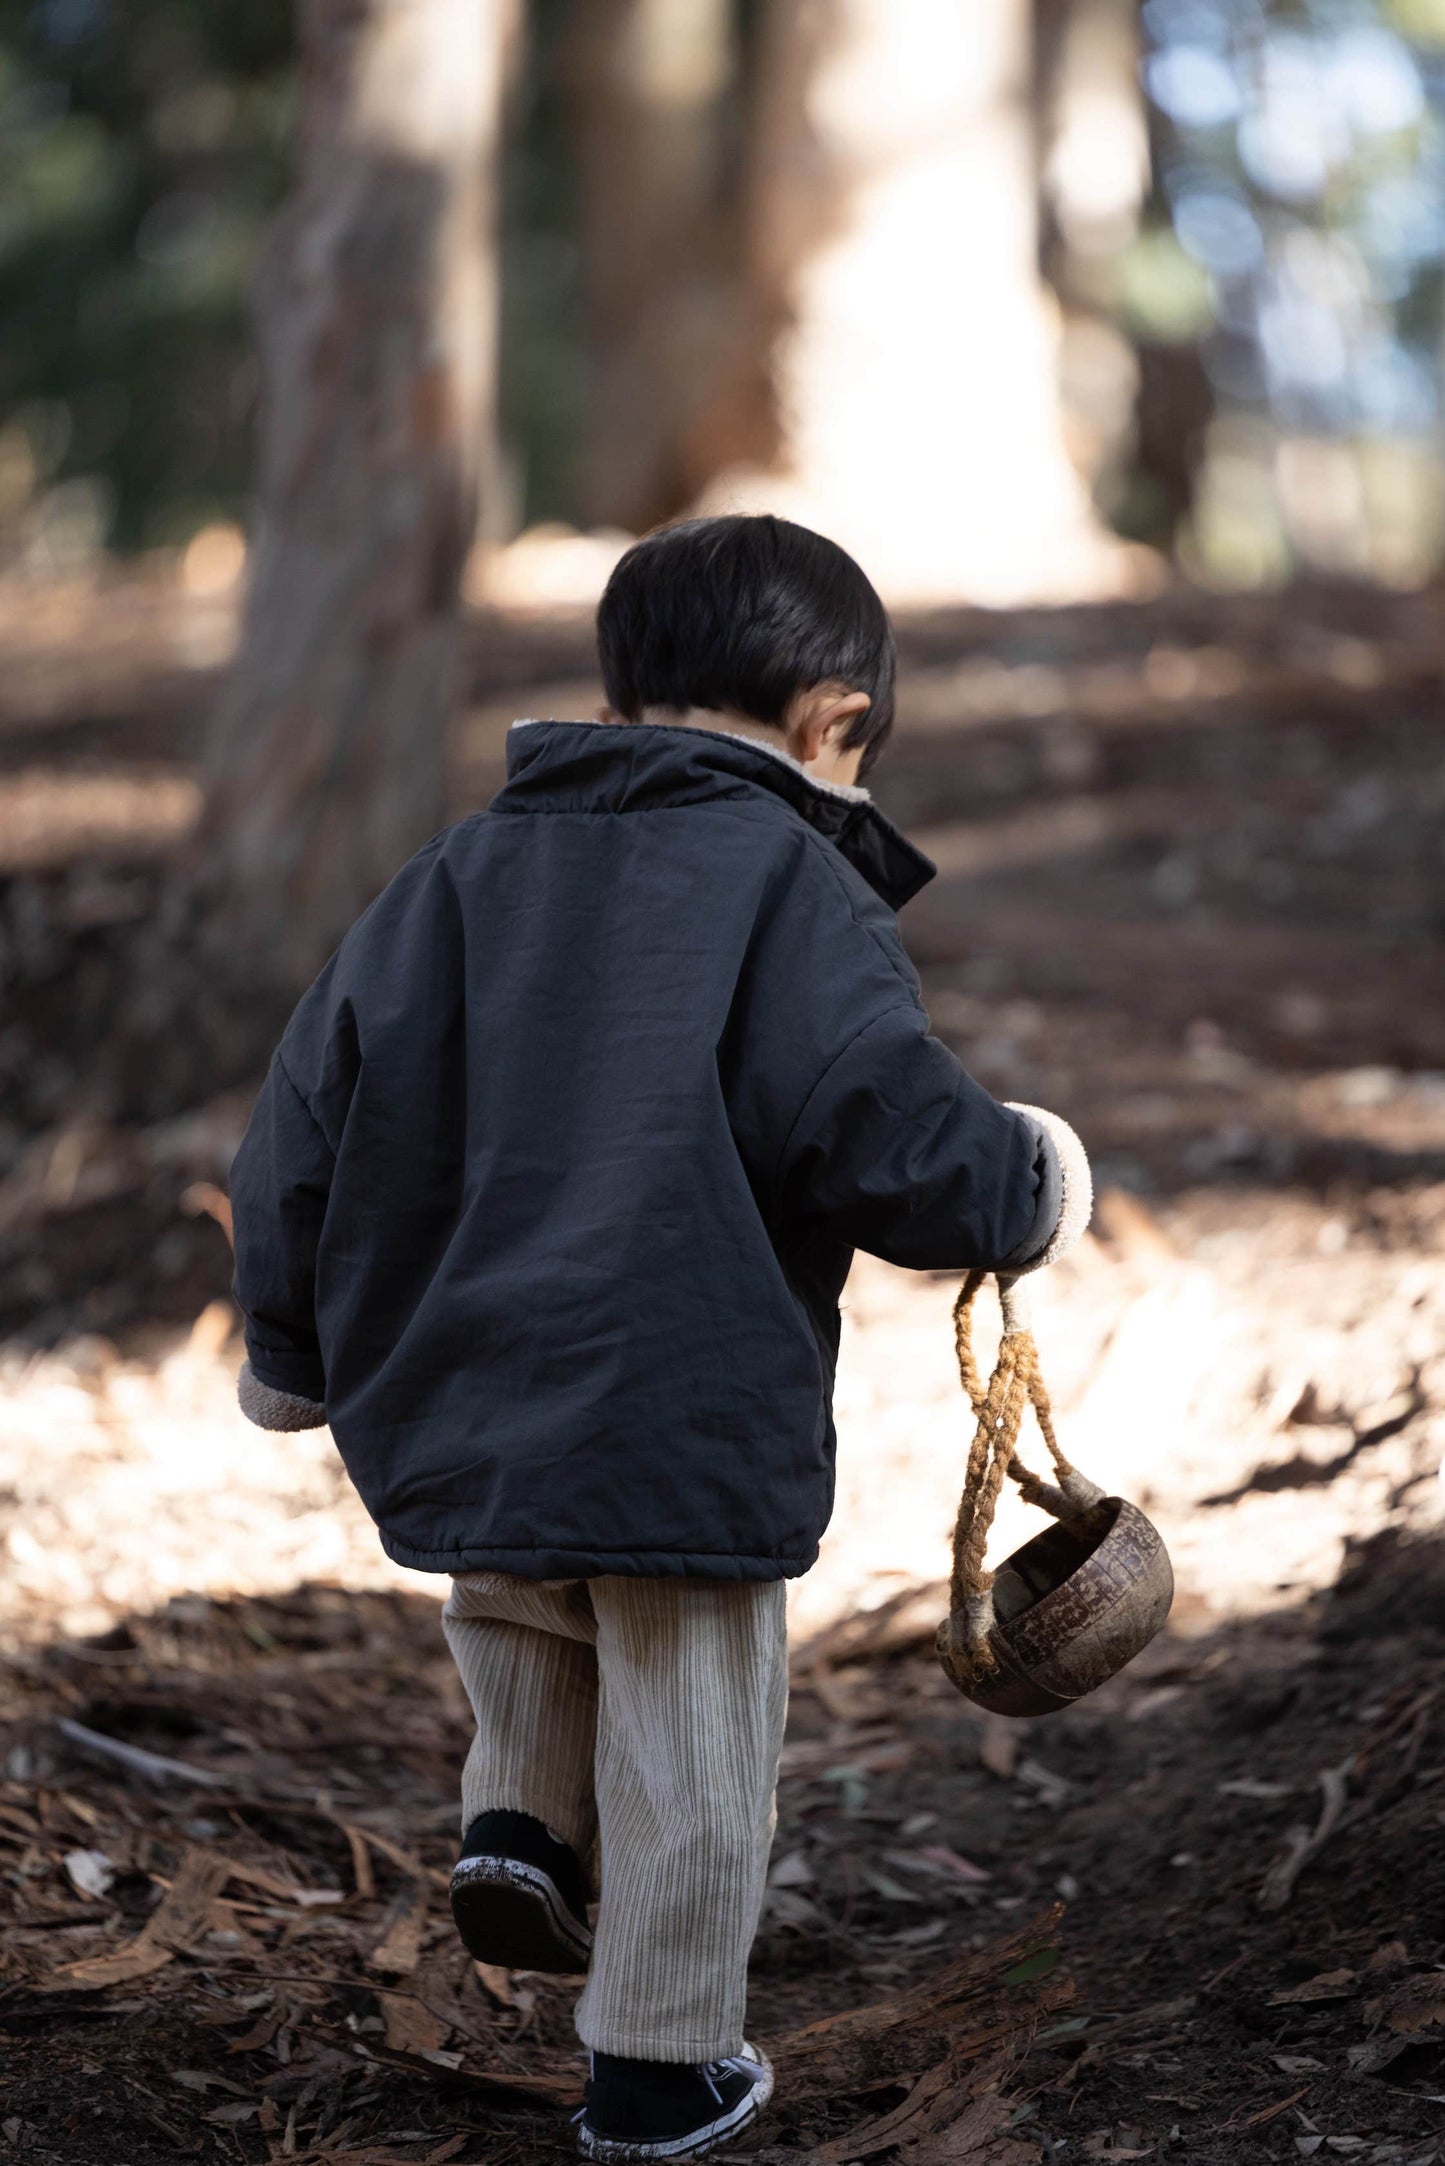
[904, 1156]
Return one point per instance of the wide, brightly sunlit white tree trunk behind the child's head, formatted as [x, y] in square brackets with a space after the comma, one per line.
[894, 248]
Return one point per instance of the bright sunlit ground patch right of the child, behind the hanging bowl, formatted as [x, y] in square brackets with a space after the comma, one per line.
[1203, 1392]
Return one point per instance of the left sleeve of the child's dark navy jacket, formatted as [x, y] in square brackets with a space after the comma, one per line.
[281, 1186]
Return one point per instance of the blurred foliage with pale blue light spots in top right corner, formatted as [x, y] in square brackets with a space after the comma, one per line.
[1294, 255]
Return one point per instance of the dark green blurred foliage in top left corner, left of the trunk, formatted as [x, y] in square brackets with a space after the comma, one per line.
[142, 153]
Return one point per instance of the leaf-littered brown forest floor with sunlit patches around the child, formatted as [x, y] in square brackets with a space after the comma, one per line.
[1190, 893]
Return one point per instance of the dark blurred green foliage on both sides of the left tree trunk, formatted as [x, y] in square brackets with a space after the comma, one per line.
[144, 151]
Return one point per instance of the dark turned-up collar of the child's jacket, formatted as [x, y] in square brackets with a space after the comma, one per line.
[625, 766]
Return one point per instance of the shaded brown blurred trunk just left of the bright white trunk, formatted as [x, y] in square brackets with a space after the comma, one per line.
[655, 135]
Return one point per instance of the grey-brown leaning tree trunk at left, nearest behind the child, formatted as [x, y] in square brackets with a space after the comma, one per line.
[376, 330]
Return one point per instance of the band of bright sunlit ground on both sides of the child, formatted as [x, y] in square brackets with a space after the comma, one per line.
[1262, 1402]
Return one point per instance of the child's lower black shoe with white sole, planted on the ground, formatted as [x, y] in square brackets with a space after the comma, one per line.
[655, 2111]
